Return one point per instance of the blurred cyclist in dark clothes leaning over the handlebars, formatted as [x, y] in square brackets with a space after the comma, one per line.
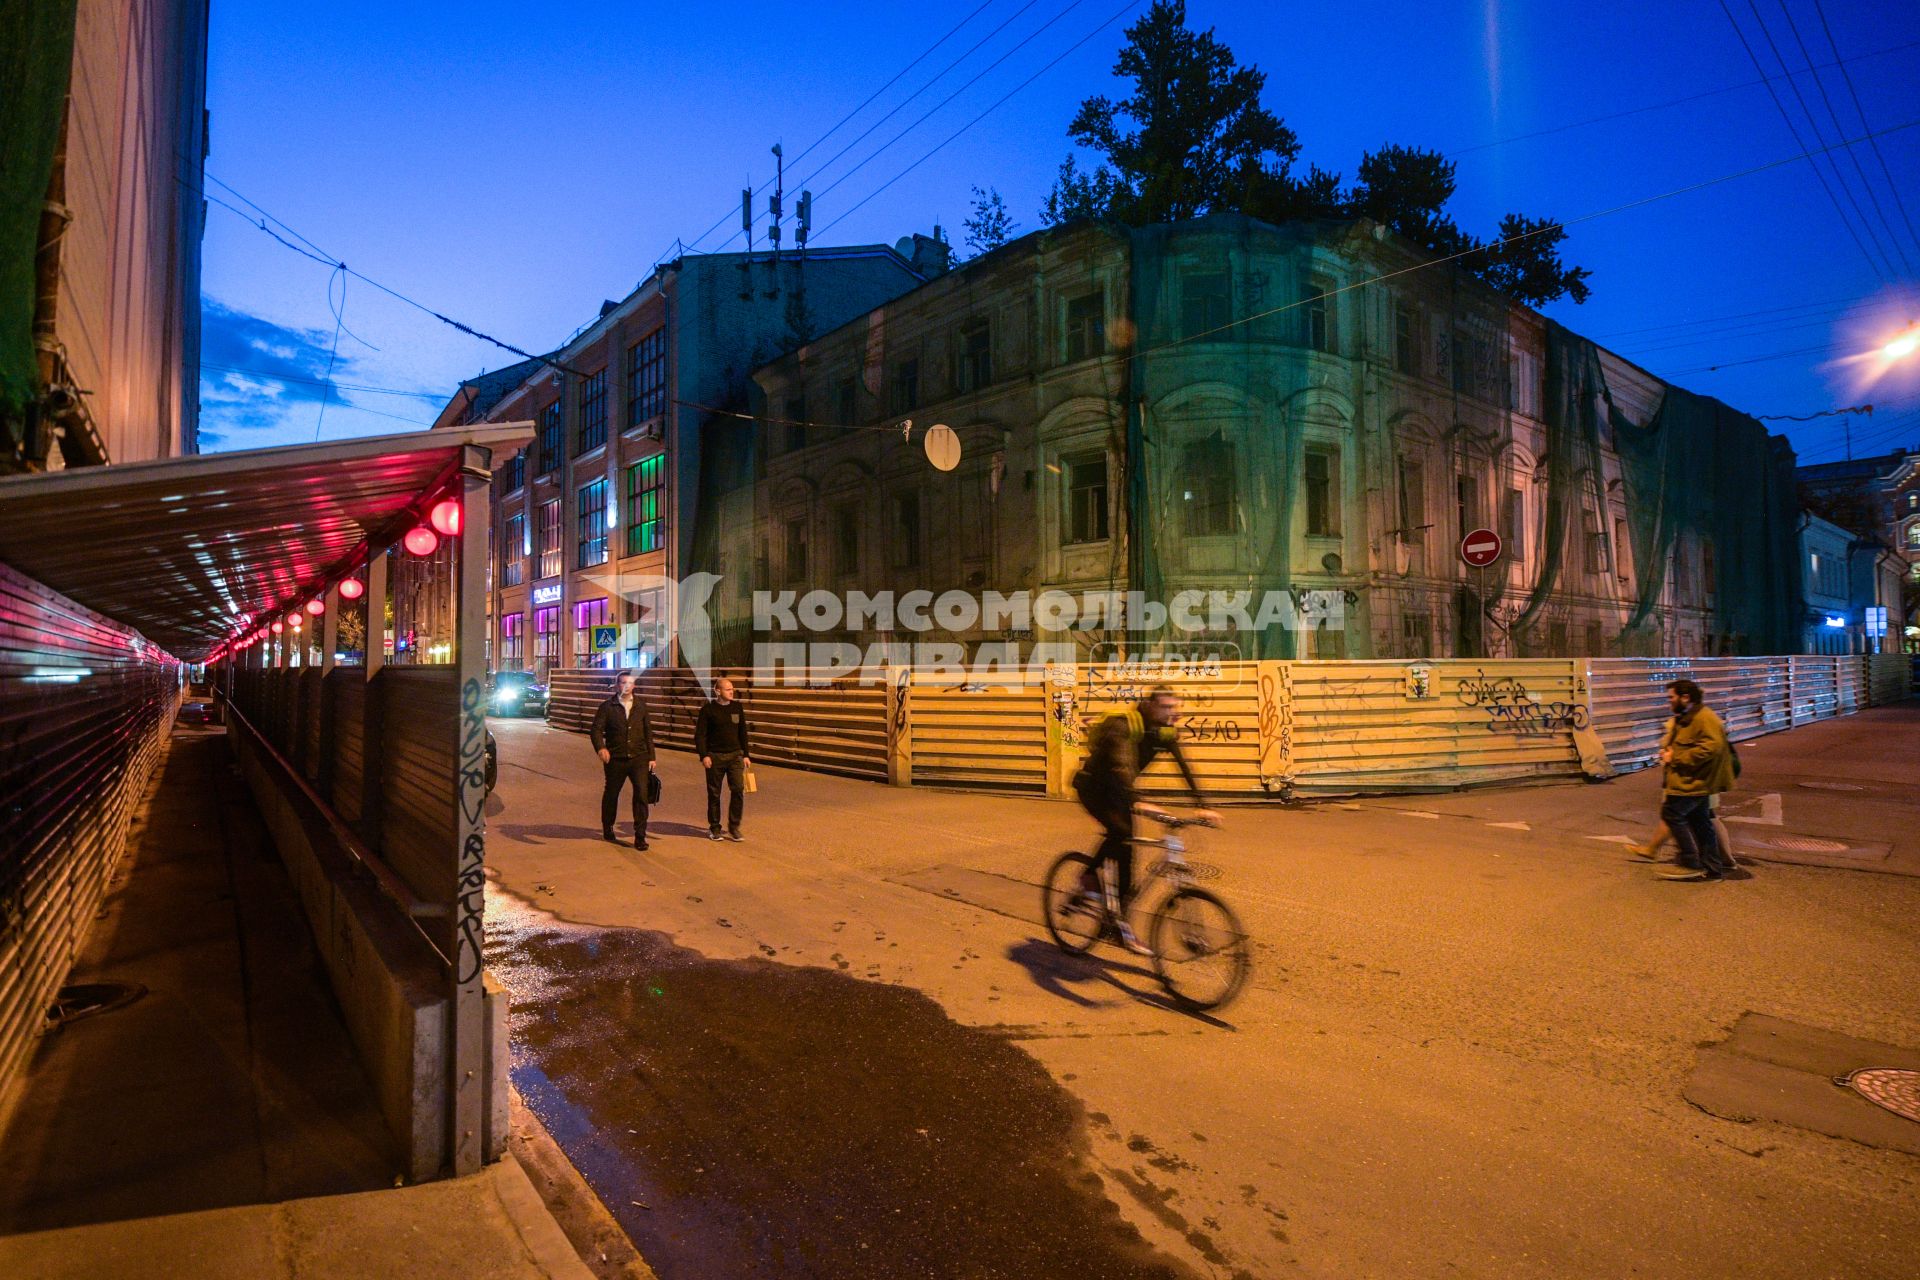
[1122, 746]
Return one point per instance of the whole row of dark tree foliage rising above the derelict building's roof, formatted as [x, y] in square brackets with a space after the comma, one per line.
[1195, 139]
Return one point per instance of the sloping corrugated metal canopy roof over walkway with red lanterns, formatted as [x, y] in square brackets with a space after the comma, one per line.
[180, 548]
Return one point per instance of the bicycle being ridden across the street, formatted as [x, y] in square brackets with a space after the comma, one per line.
[1199, 949]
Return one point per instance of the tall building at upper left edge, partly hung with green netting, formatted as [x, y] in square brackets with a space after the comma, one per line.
[101, 227]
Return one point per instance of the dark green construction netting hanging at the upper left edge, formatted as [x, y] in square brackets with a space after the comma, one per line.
[36, 66]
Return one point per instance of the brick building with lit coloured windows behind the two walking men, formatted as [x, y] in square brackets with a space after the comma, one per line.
[594, 521]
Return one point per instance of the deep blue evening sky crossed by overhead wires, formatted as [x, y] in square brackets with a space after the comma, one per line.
[512, 170]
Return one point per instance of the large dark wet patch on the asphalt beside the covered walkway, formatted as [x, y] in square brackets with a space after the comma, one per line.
[759, 1120]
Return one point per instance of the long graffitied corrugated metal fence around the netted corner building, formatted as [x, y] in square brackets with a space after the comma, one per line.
[1257, 728]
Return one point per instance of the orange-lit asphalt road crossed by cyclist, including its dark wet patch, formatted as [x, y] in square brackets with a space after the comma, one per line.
[846, 1049]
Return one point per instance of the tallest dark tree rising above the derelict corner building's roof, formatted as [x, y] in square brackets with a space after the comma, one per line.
[1199, 135]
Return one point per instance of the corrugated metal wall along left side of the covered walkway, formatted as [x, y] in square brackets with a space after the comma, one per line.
[85, 707]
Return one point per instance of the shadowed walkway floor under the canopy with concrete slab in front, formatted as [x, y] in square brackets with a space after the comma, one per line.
[220, 1122]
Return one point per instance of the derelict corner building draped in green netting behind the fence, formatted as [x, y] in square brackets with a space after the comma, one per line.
[1228, 406]
